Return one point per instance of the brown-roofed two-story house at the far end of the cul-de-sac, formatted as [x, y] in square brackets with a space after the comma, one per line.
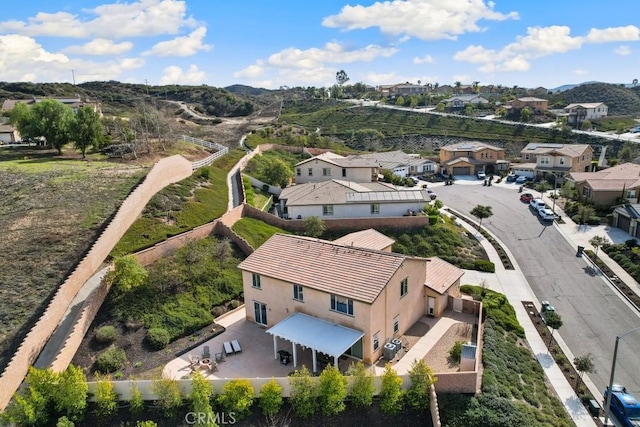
[468, 158]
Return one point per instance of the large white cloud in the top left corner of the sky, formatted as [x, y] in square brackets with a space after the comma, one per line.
[143, 18]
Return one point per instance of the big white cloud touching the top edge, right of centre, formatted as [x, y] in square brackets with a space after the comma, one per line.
[423, 19]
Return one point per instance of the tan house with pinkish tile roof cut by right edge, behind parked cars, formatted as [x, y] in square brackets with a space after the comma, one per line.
[609, 186]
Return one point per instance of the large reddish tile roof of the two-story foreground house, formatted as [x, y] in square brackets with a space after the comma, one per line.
[360, 274]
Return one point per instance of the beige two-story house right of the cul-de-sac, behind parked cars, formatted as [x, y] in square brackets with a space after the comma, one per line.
[558, 159]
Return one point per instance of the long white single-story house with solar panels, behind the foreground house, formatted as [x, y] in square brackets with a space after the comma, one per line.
[348, 199]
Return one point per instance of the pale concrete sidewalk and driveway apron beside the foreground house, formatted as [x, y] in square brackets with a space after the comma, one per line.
[514, 285]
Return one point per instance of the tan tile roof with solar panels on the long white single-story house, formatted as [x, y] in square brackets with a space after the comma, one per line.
[339, 192]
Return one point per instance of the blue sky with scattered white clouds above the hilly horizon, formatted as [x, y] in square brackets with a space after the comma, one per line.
[274, 43]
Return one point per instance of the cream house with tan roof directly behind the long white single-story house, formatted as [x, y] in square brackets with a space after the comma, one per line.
[328, 166]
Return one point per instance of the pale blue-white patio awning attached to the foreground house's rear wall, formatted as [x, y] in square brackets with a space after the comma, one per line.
[325, 337]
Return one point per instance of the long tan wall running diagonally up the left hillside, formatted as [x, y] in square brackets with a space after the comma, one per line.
[166, 171]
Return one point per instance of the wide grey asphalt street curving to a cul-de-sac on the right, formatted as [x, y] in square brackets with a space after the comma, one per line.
[593, 313]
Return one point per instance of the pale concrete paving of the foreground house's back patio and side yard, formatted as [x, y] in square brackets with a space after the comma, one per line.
[257, 359]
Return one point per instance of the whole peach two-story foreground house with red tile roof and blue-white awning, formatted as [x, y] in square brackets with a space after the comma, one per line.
[338, 299]
